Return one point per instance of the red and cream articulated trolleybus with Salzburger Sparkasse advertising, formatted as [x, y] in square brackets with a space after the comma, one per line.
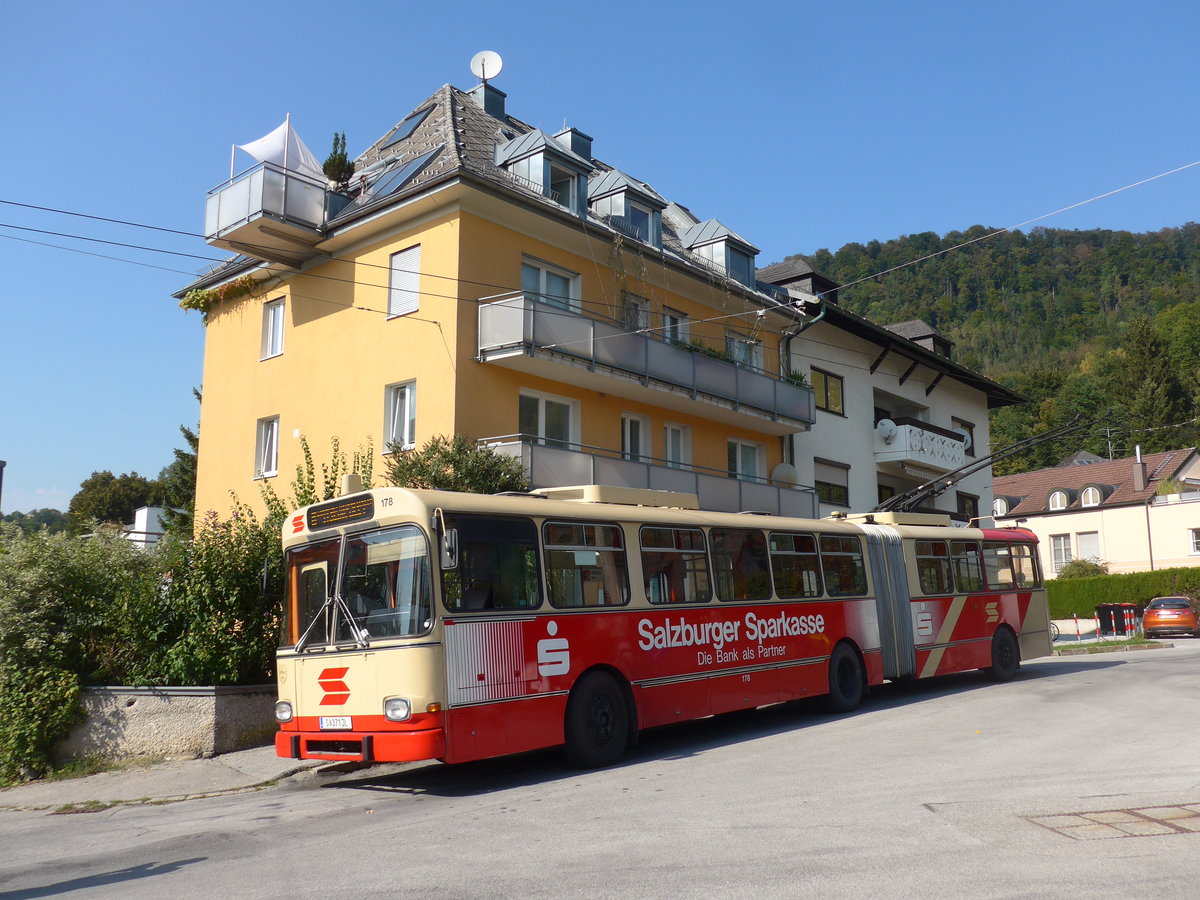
[439, 626]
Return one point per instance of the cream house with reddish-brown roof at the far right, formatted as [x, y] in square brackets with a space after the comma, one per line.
[1138, 514]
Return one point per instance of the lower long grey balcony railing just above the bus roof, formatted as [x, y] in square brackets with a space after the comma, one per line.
[562, 466]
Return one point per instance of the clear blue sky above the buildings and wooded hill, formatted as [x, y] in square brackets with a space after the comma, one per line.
[800, 125]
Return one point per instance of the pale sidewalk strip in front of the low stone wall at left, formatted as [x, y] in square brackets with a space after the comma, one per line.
[160, 783]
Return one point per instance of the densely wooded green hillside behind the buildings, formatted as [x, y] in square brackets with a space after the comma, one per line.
[1077, 321]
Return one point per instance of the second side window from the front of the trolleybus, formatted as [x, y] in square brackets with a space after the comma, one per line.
[585, 566]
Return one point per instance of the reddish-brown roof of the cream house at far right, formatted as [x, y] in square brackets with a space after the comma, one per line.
[1029, 493]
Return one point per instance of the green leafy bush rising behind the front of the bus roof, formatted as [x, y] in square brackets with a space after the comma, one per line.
[457, 465]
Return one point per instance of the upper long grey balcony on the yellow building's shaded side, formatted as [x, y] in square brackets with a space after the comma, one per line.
[526, 333]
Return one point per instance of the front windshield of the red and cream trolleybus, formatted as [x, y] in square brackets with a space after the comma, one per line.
[386, 586]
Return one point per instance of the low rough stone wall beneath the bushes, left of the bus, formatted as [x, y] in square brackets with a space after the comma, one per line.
[128, 723]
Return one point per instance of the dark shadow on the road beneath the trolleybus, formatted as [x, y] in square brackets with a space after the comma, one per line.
[675, 742]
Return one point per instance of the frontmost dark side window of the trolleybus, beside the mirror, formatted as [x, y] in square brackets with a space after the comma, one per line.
[497, 565]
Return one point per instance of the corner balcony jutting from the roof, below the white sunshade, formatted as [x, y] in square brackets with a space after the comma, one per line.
[269, 213]
